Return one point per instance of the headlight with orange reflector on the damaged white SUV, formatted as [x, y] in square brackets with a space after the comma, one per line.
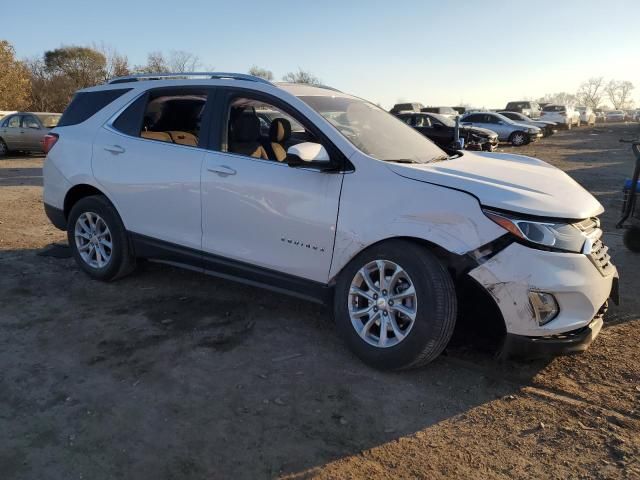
[556, 236]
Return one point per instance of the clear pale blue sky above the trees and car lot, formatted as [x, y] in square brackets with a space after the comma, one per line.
[480, 53]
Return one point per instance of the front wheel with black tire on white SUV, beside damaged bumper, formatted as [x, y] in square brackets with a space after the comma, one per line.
[433, 305]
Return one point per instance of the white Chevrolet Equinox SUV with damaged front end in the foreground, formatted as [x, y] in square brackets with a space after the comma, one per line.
[336, 201]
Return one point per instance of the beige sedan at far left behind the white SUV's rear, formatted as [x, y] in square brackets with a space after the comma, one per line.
[24, 131]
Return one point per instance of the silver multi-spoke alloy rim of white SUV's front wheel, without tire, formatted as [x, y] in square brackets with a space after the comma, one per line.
[382, 303]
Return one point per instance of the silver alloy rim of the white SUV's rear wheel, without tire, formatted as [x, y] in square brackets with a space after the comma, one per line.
[93, 240]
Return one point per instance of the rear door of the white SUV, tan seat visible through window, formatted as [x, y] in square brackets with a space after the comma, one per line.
[149, 162]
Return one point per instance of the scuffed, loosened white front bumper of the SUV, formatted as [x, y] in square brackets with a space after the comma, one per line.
[580, 289]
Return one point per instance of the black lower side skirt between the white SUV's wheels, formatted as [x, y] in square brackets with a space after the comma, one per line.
[221, 267]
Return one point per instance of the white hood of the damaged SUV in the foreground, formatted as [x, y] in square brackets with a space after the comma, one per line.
[510, 182]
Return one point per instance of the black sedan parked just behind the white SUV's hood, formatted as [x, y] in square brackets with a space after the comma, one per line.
[440, 129]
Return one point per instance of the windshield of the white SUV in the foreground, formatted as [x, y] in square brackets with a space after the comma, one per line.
[374, 131]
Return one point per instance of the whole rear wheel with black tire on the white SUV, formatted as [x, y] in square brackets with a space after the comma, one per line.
[97, 211]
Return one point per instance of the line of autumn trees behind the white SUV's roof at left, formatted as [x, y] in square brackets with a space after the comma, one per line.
[46, 83]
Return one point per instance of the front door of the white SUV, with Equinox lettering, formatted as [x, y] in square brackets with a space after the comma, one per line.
[257, 209]
